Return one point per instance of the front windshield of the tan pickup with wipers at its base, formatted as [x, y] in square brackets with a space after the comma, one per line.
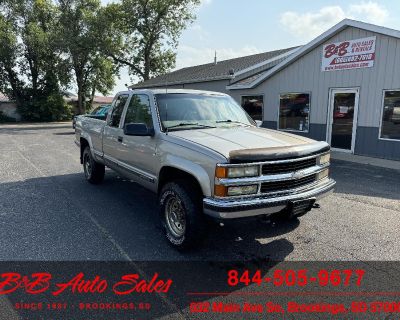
[184, 111]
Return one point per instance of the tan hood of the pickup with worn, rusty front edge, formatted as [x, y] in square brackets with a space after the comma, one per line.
[228, 140]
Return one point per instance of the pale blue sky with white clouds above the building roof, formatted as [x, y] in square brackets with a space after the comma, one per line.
[235, 28]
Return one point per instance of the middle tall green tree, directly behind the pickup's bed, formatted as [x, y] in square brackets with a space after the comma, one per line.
[82, 37]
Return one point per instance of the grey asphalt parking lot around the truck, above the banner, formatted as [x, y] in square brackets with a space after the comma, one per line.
[49, 212]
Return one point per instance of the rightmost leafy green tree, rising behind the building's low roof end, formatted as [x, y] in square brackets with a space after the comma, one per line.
[144, 33]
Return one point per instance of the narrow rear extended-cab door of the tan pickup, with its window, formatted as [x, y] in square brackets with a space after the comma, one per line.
[113, 132]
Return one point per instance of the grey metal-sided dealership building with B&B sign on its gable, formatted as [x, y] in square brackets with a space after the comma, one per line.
[343, 87]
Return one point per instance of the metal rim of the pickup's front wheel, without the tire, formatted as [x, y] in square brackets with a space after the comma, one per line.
[175, 216]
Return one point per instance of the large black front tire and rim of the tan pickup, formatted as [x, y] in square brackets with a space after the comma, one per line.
[181, 215]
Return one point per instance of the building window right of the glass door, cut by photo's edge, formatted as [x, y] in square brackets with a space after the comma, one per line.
[390, 128]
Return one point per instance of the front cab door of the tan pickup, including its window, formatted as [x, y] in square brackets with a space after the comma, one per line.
[138, 154]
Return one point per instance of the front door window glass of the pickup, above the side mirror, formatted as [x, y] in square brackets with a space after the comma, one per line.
[139, 110]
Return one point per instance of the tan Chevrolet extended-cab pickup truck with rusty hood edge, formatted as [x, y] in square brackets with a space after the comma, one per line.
[204, 157]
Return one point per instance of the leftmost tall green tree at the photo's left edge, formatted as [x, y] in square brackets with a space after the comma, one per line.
[31, 66]
